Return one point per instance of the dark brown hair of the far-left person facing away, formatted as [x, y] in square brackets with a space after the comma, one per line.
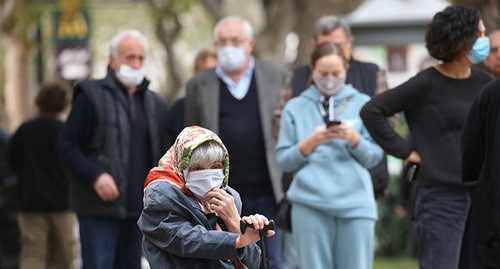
[53, 97]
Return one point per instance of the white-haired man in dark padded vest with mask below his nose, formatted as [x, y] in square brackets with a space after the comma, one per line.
[114, 134]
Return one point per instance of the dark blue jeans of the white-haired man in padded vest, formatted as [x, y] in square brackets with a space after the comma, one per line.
[110, 243]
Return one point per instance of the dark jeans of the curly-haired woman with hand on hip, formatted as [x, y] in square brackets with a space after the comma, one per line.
[440, 216]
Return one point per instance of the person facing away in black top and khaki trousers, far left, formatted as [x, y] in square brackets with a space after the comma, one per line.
[46, 223]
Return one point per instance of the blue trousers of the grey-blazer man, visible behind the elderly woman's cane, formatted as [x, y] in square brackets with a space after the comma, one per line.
[268, 207]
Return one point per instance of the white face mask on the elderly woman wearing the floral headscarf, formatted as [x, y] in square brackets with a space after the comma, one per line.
[200, 182]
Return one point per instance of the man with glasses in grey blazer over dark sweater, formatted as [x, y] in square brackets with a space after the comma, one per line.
[236, 100]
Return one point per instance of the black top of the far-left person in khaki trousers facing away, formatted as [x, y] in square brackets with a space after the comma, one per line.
[43, 183]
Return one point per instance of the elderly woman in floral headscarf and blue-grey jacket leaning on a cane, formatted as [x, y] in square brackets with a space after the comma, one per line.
[191, 217]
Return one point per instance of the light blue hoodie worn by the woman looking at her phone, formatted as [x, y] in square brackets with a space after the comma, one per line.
[334, 177]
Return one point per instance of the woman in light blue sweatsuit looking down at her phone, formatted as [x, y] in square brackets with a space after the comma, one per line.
[323, 142]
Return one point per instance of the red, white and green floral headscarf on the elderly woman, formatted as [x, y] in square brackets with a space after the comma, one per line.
[172, 165]
